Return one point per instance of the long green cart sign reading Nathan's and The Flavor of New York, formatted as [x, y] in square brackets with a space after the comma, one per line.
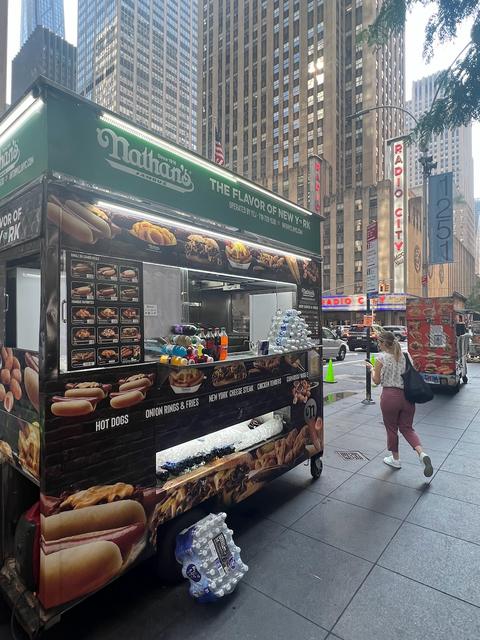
[114, 154]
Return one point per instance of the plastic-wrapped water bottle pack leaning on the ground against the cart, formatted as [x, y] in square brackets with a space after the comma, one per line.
[210, 558]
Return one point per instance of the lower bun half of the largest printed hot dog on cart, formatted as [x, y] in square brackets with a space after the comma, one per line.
[72, 573]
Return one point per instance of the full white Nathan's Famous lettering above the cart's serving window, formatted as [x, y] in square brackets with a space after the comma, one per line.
[144, 163]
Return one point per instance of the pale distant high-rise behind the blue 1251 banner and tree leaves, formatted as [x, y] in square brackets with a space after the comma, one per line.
[451, 150]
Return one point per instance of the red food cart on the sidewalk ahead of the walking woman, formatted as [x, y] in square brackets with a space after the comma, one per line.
[437, 341]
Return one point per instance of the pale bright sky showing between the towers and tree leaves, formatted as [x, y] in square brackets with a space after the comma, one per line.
[415, 66]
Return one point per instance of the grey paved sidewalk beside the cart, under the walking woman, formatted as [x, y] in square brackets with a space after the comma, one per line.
[364, 553]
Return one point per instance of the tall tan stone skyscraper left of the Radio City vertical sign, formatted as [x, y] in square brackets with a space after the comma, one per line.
[281, 80]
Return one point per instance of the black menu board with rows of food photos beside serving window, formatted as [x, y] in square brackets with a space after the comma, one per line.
[104, 311]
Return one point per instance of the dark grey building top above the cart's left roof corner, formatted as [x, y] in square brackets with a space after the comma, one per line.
[46, 54]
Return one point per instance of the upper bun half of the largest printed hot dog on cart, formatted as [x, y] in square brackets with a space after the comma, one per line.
[96, 518]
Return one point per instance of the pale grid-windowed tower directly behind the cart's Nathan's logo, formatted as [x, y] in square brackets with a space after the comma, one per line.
[139, 59]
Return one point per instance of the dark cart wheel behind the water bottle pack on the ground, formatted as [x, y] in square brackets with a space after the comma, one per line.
[168, 570]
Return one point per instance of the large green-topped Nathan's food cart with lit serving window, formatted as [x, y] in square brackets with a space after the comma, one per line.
[109, 237]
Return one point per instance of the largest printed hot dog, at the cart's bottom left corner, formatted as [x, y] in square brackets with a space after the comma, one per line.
[88, 539]
